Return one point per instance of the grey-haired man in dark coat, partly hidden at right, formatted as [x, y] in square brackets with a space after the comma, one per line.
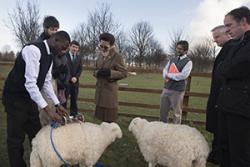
[222, 39]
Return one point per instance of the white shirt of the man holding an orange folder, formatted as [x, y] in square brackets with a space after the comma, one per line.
[182, 75]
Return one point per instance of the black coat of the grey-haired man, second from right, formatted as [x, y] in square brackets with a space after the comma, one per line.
[216, 83]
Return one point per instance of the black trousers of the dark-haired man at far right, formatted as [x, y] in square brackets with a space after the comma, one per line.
[234, 137]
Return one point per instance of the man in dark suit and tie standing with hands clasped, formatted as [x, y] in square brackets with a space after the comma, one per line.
[74, 61]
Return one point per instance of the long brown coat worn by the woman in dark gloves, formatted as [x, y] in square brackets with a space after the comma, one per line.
[107, 88]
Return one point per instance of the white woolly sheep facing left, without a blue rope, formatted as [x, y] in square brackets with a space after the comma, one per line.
[170, 145]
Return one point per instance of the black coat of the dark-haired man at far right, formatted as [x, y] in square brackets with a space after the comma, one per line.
[234, 94]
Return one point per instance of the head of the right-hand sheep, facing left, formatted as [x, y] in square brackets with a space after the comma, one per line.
[136, 125]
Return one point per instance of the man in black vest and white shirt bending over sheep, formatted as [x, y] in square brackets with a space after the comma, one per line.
[22, 96]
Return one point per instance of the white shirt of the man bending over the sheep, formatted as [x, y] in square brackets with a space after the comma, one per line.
[31, 55]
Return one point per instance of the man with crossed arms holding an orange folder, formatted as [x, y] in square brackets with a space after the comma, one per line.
[175, 74]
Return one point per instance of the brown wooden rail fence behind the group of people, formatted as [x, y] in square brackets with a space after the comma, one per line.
[186, 108]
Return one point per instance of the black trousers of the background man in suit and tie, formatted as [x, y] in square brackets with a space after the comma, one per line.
[72, 90]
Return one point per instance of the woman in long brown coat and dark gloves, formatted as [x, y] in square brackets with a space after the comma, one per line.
[109, 69]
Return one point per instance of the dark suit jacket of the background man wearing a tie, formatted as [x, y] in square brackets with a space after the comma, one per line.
[75, 67]
